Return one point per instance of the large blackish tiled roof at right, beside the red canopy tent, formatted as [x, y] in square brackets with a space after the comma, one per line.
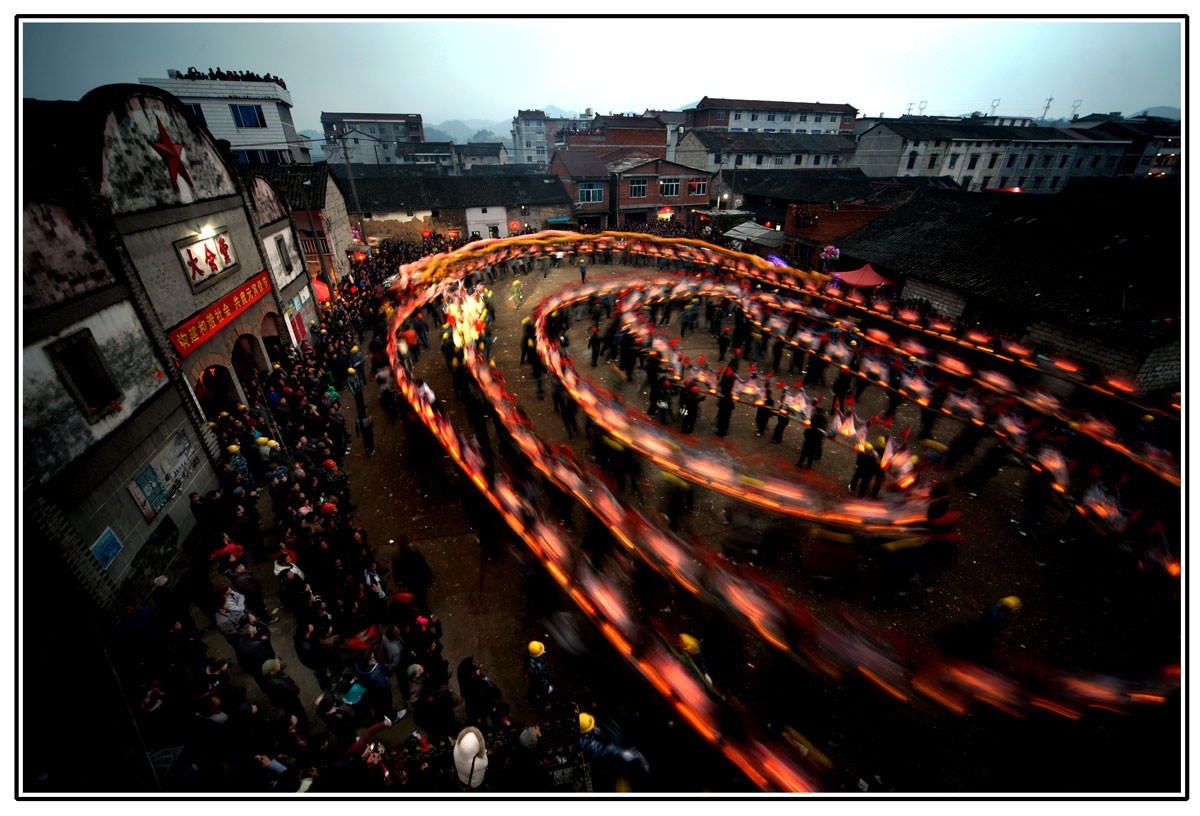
[1069, 257]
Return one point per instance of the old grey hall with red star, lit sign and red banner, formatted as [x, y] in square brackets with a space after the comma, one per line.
[148, 286]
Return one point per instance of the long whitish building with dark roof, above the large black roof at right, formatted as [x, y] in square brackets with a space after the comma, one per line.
[987, 157]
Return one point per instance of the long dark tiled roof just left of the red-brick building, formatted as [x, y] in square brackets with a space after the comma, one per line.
[410, 193]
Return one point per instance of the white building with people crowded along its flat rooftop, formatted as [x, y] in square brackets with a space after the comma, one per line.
[255, 116]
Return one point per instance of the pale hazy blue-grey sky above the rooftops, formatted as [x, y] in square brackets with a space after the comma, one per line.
[488, 69]
